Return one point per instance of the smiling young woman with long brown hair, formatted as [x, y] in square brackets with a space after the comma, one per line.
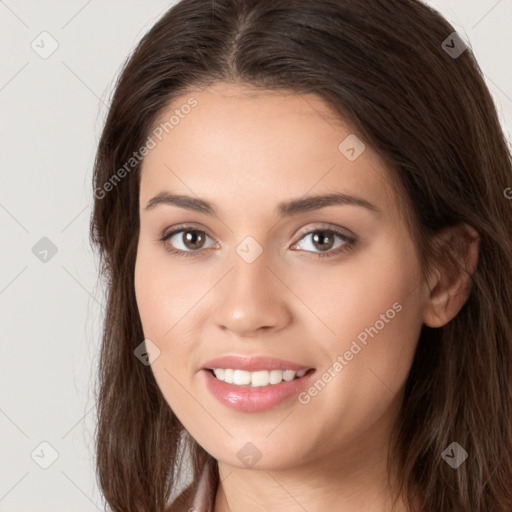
[301, 212]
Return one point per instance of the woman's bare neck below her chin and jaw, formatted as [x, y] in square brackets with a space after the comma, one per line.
[356, 479]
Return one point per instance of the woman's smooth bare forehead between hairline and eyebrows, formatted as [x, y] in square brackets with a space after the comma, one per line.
[240, 142]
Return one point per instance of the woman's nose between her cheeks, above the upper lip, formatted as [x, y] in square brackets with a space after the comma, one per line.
[252, 298]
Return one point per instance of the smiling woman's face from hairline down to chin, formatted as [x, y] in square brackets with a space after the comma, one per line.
[263, 277]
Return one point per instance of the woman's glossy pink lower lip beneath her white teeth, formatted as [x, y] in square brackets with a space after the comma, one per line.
[261, 398]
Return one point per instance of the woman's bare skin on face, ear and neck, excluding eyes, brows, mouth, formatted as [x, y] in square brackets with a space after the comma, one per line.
[246, 151]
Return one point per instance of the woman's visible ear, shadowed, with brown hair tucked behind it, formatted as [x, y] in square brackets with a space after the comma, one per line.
[449, 285]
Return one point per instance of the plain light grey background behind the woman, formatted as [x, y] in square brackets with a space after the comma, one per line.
[52, 114]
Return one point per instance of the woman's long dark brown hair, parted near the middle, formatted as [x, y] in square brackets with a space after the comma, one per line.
[381, 65]
